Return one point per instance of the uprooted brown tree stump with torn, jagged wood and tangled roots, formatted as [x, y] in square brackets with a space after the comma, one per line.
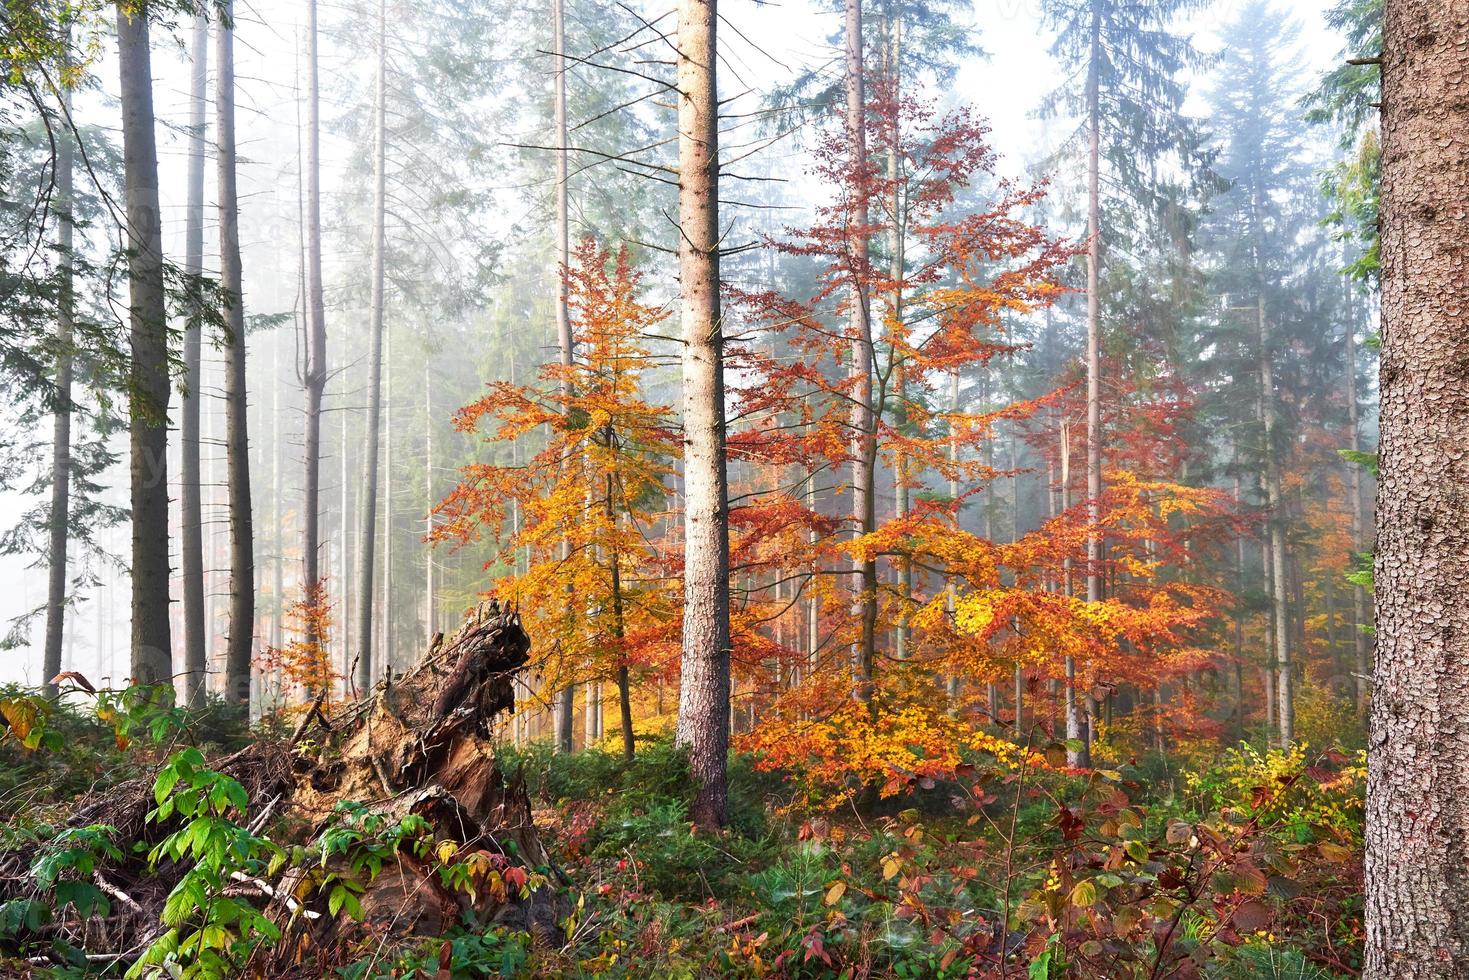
[419, 744]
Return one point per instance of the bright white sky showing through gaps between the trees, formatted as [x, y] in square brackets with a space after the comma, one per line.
[1006, 87]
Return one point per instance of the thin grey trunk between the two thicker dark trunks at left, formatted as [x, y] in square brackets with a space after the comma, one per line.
[192, 512]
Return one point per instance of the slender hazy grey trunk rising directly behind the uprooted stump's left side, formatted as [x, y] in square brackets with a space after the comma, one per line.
[367, 555]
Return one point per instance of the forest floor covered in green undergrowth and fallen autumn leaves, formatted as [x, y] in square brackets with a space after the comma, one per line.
[1217, 865]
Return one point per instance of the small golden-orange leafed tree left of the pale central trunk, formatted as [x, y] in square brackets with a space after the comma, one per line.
[599, 483]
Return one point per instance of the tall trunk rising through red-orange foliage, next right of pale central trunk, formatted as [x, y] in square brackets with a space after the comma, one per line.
[860, 325]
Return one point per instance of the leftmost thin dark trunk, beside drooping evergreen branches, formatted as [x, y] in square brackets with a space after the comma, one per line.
[59, 518]
